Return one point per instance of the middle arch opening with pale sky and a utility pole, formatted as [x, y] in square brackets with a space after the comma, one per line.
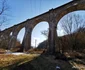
[39, 35]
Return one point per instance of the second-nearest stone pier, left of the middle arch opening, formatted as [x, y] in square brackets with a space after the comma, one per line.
[27, 39]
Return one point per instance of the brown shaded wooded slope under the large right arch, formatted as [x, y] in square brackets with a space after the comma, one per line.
[72, 42]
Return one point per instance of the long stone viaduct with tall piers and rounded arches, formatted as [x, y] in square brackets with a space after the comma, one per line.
[52, 17]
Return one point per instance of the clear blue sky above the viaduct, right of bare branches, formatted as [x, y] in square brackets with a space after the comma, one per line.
[20, 10]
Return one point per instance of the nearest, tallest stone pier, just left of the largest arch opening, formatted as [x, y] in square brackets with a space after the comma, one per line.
[52, 37]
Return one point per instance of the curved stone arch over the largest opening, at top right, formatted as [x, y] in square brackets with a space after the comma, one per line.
[68, 8]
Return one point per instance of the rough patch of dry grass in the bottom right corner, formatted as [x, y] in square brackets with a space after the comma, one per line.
[78, 60]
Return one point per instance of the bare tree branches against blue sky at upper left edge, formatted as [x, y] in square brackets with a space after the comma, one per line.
[3, 9]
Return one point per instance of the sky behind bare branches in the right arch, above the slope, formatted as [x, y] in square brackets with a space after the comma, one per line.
[75, 19]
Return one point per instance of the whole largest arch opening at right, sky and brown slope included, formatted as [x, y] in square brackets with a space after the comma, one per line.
[70, 30]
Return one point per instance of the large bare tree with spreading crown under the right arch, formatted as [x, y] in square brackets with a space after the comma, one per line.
[70, 24]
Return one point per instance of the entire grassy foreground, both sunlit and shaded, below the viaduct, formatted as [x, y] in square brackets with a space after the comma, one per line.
[38, 62]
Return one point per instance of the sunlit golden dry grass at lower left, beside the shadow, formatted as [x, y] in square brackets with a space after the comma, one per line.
[7, 60]
